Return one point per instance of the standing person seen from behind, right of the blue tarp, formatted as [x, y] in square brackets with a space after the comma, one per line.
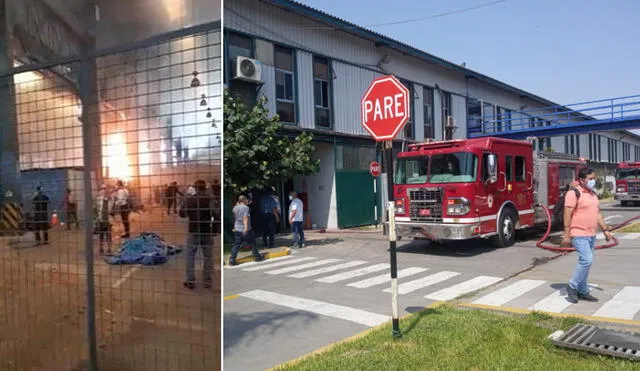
[199, 209]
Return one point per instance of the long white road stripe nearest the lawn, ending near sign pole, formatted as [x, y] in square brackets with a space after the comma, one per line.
[318, 307]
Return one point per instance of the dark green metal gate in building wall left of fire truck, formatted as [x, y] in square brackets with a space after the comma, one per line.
[355, 187]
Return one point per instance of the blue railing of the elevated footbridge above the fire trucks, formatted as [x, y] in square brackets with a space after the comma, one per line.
[593, 112]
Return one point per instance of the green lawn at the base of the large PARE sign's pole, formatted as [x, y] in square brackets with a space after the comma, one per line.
[446, 338]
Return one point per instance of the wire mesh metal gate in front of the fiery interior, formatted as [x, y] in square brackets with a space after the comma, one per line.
[146, 114]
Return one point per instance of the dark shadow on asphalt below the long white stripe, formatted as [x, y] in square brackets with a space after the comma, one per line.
[245, 328]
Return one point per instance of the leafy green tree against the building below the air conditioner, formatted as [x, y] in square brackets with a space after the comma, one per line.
[257, 153]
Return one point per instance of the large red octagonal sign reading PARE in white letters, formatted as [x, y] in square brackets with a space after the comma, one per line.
[385, 108]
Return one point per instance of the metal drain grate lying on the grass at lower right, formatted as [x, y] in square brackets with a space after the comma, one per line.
[597, 340]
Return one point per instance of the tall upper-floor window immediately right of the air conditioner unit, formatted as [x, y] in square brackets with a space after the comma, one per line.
[285, 89]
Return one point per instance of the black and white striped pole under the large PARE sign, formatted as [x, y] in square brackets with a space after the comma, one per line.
[388, 162]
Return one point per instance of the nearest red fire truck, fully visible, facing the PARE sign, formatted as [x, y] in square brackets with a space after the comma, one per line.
[477, 188]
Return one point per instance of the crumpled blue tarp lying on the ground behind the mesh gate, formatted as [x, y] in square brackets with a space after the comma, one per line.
[147, 249]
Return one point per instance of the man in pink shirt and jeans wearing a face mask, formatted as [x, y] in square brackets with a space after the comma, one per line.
[581, 219]
